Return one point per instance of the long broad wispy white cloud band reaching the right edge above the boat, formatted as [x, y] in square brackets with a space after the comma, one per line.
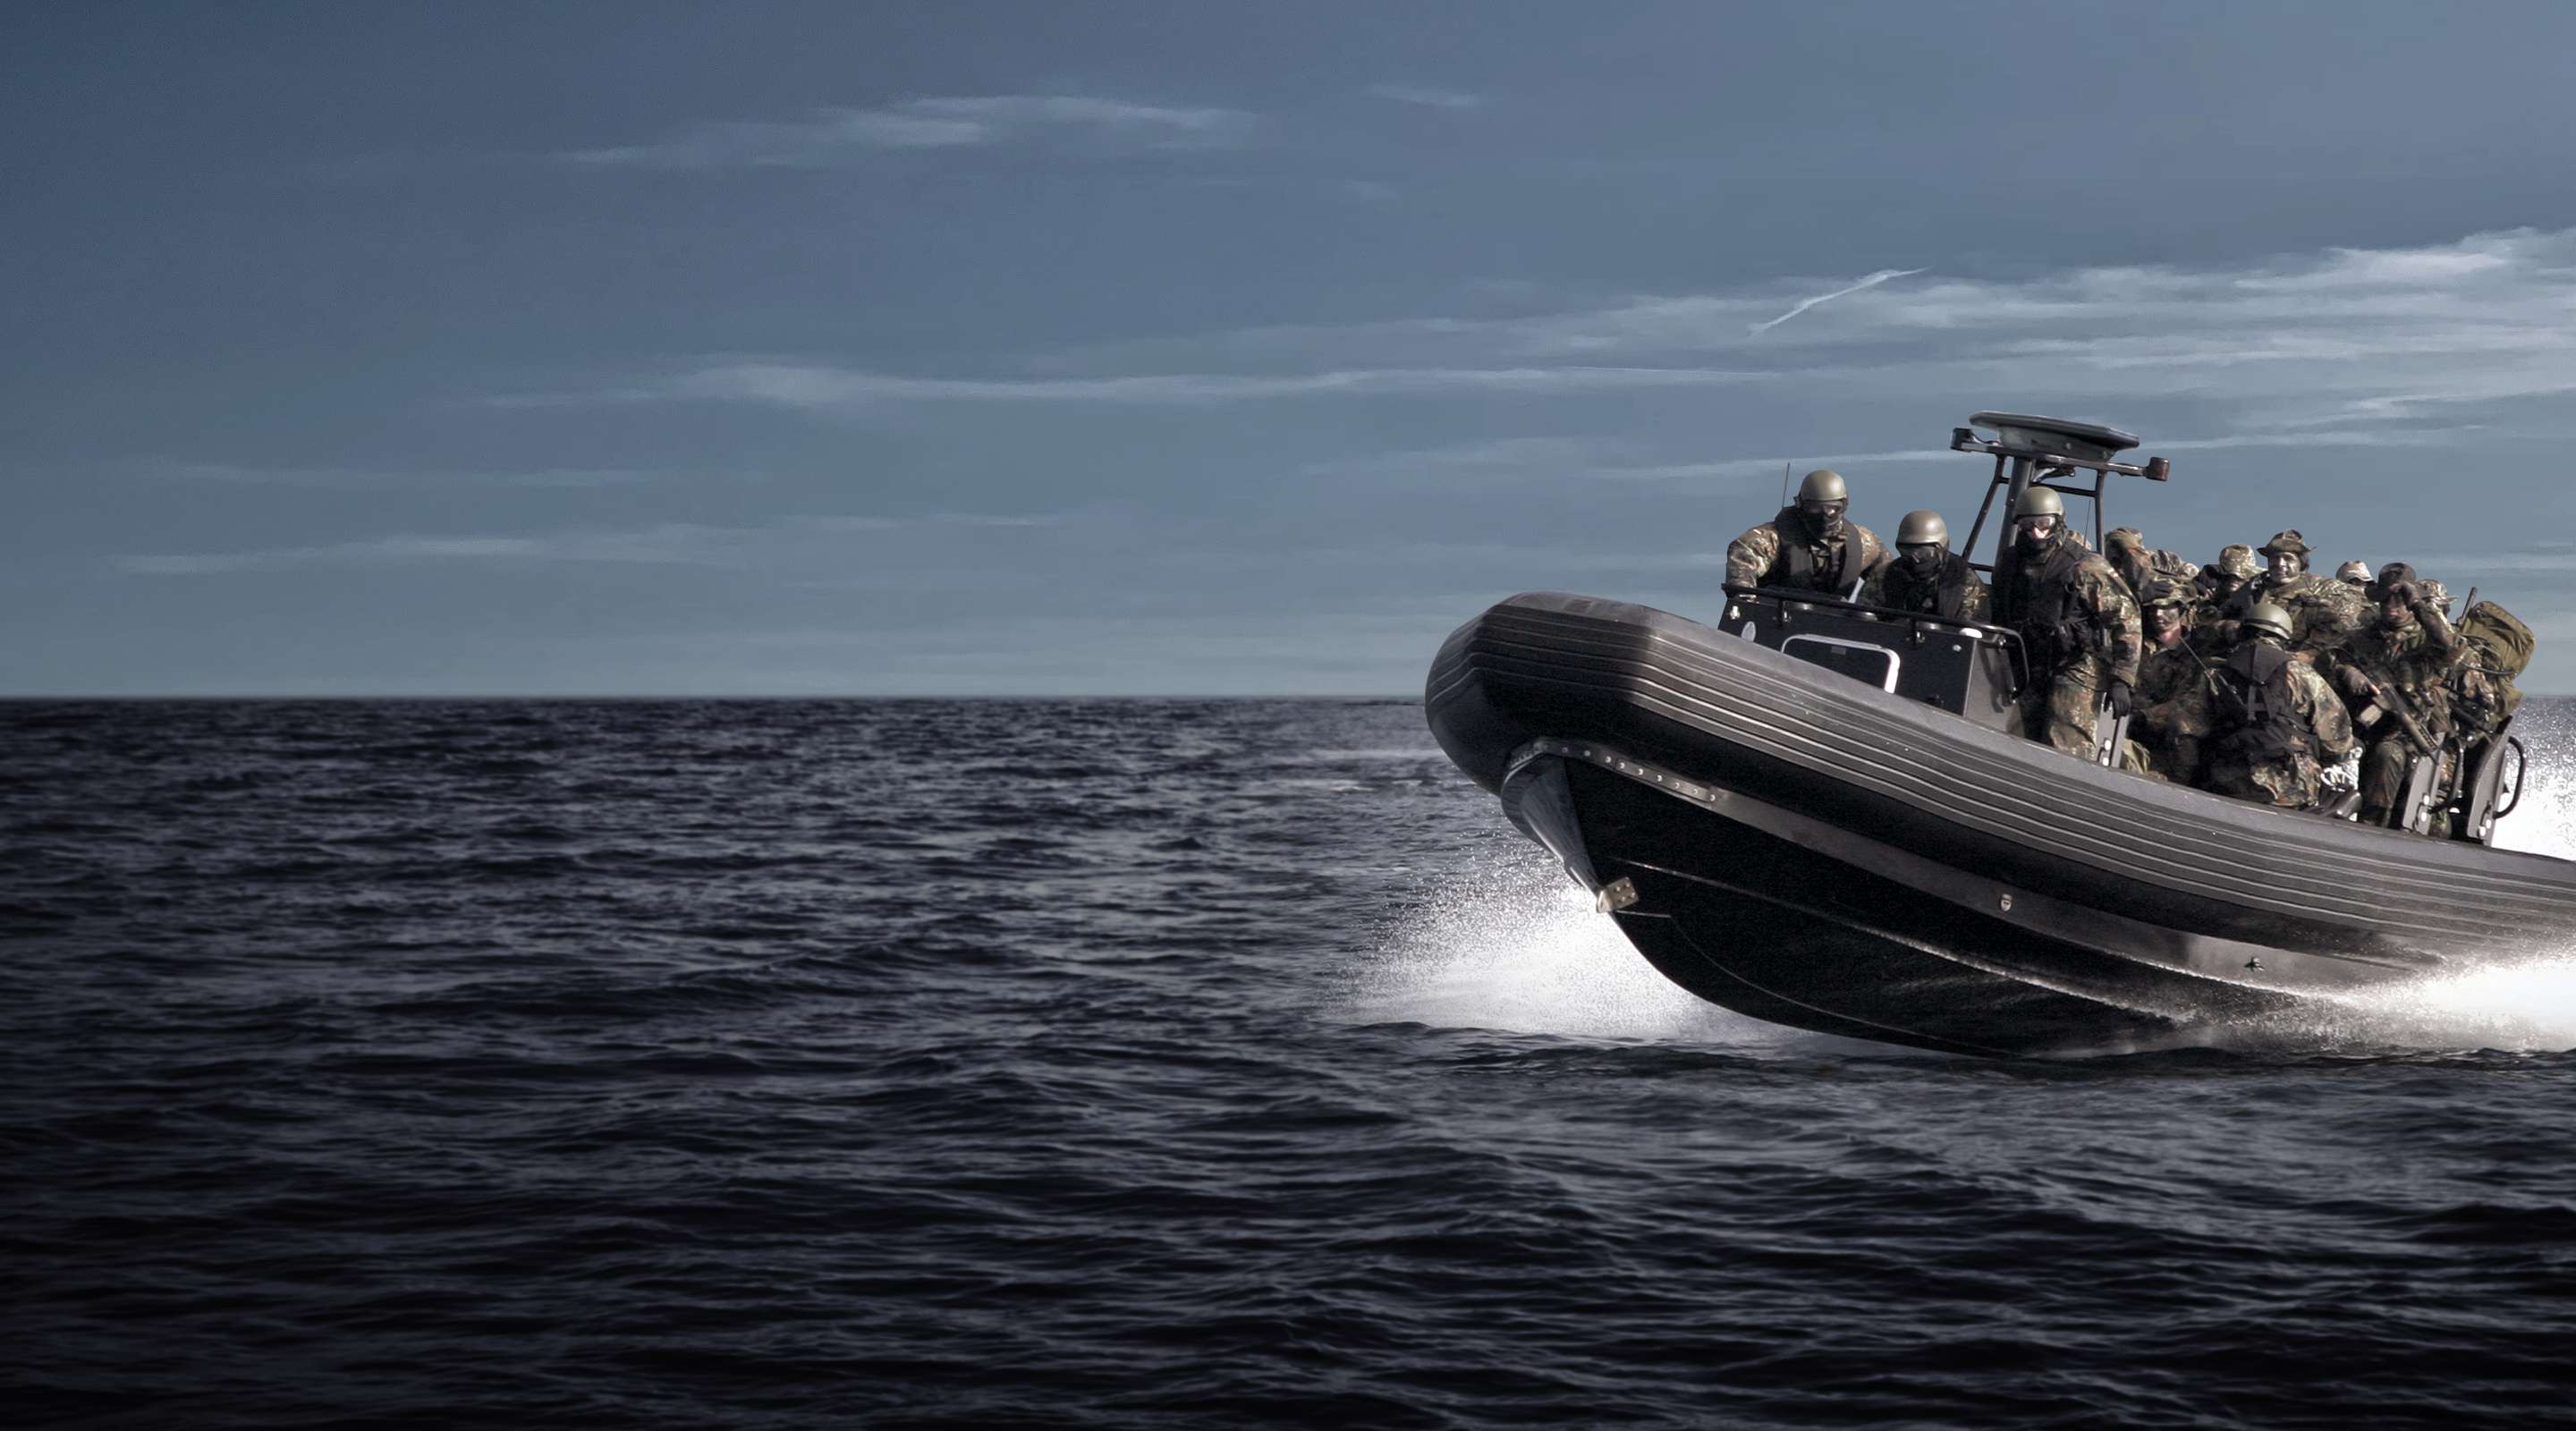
[2343, 346]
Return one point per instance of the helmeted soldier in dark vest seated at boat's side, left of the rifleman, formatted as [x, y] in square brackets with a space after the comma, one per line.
[2276, 719]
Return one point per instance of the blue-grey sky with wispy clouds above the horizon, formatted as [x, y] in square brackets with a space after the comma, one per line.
[1209, 349]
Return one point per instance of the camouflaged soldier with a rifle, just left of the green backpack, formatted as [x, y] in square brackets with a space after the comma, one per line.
[2394, 676]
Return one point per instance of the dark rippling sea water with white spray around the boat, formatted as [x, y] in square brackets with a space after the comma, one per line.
[1130, 1064]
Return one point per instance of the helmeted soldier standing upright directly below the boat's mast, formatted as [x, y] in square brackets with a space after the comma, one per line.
[2078, 622]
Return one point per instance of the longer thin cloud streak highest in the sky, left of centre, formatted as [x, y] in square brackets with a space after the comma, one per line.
[831, 138]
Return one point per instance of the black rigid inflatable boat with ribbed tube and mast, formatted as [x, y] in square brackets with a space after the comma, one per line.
[1825, 817]
